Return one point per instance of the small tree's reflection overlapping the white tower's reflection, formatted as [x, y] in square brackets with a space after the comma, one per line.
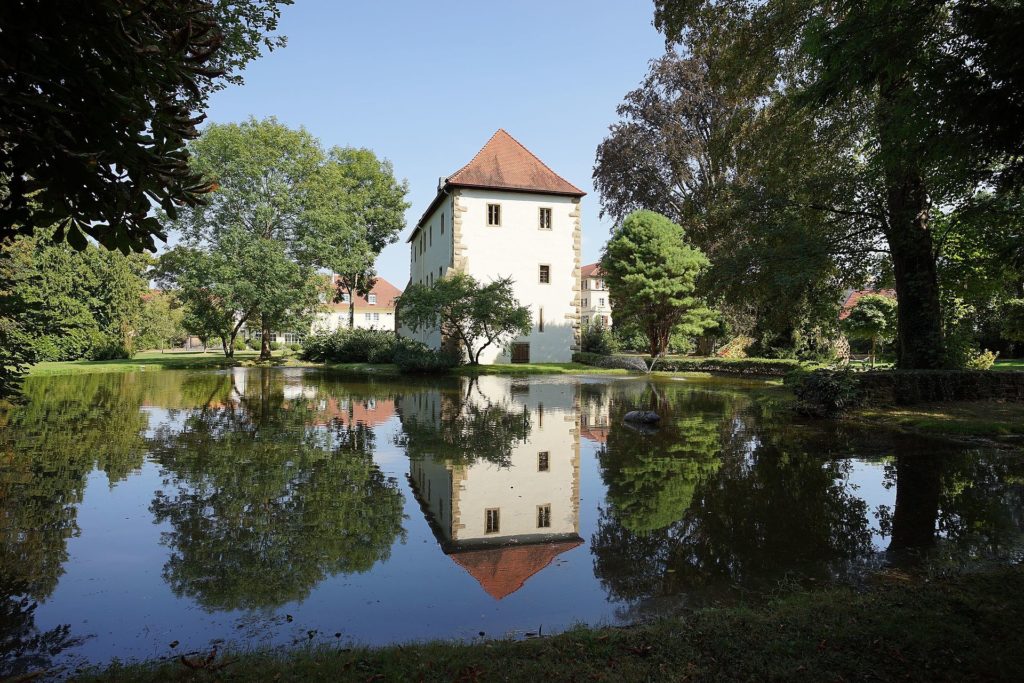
[460, 424]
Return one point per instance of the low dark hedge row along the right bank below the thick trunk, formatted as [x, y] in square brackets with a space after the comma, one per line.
[830, 394]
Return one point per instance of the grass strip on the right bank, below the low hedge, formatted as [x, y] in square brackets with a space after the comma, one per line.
[967, 418]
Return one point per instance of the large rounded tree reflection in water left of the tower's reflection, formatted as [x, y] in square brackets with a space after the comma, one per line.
[264, 507]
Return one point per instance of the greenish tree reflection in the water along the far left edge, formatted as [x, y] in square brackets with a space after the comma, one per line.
[68, 428]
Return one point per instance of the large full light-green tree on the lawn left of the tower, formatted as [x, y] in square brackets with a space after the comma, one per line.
[280, 214]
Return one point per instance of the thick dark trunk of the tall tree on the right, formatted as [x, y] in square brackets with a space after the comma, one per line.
[919, 326]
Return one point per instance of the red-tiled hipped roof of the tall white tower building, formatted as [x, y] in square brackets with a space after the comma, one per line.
[504, 164]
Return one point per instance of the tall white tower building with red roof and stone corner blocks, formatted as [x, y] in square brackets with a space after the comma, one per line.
[507, 215]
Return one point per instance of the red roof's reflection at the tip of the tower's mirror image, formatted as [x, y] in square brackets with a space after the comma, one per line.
[502, 572]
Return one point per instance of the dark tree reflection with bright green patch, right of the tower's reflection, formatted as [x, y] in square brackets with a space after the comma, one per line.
[754, 511]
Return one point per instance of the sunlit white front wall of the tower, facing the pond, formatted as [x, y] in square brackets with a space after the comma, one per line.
[517, 249]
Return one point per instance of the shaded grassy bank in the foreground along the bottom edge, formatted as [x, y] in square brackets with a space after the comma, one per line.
[958, 629]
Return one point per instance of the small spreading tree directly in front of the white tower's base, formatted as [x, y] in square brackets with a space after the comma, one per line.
[468, 315]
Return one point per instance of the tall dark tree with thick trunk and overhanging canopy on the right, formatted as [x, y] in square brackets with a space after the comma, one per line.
[929, 86]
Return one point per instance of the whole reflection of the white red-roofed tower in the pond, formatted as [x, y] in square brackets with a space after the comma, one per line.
[502, 522]
